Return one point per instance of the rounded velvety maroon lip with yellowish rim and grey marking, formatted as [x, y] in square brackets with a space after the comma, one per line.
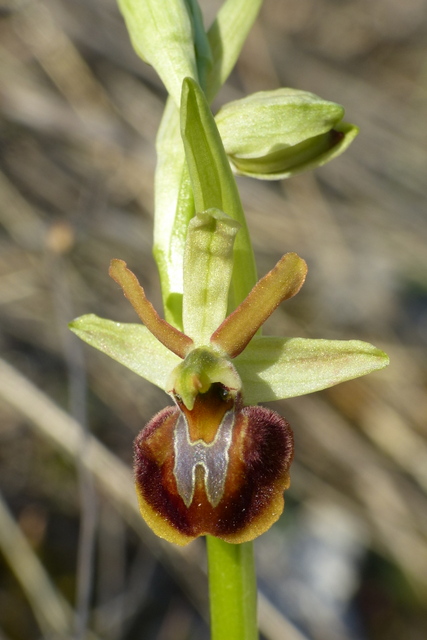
[219, 469]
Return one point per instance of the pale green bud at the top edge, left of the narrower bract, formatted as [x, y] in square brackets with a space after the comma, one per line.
[162, 35]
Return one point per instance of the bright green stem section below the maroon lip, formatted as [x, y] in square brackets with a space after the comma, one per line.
[233, 593]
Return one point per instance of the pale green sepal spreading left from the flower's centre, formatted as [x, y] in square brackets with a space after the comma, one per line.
[130, 344]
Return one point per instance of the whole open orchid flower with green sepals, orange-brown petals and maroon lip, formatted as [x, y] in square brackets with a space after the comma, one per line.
[214, 463]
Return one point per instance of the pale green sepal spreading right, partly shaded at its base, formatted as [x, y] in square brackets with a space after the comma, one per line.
[276, 368]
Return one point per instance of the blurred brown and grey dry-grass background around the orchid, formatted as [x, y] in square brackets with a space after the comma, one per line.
[78, 118]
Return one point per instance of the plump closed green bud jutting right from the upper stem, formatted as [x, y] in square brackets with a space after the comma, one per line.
[274, 134]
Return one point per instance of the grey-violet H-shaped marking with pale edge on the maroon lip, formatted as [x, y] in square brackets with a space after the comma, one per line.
[212, 457]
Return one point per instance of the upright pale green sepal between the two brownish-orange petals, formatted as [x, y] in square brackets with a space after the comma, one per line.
[208, 265]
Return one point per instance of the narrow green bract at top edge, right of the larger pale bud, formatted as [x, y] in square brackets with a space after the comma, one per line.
[227, 36]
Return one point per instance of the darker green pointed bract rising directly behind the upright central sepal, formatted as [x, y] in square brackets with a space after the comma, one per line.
[213, 183]
